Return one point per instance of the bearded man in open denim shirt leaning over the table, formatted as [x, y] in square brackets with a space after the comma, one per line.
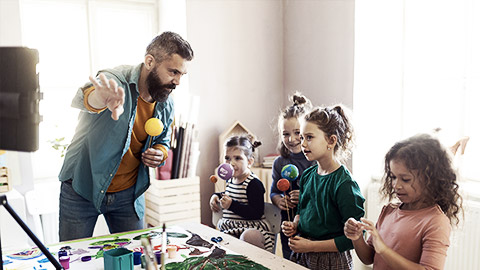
[106, 165]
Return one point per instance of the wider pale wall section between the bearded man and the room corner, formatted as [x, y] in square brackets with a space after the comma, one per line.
[237, 72]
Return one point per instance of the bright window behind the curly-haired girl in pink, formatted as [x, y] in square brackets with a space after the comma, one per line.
[417, 68]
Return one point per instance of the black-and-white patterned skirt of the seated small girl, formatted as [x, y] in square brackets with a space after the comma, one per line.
[236, 227]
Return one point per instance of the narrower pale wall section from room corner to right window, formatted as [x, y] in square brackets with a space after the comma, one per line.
[319, 39]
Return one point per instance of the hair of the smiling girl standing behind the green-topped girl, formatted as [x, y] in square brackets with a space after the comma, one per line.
[300, 105]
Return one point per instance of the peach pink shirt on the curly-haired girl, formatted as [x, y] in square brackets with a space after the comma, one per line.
[421, 236]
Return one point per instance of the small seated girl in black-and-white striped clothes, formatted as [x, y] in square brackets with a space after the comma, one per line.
[243, 200]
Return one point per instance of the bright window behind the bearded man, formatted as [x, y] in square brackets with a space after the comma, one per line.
[75, 39]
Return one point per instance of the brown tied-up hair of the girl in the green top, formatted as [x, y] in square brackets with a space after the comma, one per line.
[335, 121]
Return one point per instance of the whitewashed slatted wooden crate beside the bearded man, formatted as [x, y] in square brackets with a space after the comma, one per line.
[172, 201]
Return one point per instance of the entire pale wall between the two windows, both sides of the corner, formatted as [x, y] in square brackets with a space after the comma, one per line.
[251, 54]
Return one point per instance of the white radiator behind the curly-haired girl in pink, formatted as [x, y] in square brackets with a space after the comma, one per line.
[464, 250]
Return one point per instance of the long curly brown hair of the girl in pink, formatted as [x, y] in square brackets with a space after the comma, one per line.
[425, 155]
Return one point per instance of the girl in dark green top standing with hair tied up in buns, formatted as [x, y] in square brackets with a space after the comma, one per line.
[328, 194]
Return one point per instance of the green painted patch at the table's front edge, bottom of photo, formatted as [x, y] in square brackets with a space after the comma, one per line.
[230, 261]
